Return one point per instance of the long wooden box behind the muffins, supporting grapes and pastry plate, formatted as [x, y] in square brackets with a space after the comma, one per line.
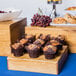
[68, 31]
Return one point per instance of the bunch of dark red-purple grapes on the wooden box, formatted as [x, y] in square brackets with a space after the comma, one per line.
[41, 20]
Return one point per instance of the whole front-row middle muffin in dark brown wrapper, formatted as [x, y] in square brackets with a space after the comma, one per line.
[33, 50]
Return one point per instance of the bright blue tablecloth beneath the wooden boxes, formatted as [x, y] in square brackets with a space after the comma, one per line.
[69, 68]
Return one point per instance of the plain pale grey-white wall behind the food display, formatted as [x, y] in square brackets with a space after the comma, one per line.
[29, 7]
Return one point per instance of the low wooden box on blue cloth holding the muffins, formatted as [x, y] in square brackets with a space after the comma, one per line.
[40, 64]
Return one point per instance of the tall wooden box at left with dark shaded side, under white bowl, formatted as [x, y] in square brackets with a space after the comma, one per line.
[10, 31]
